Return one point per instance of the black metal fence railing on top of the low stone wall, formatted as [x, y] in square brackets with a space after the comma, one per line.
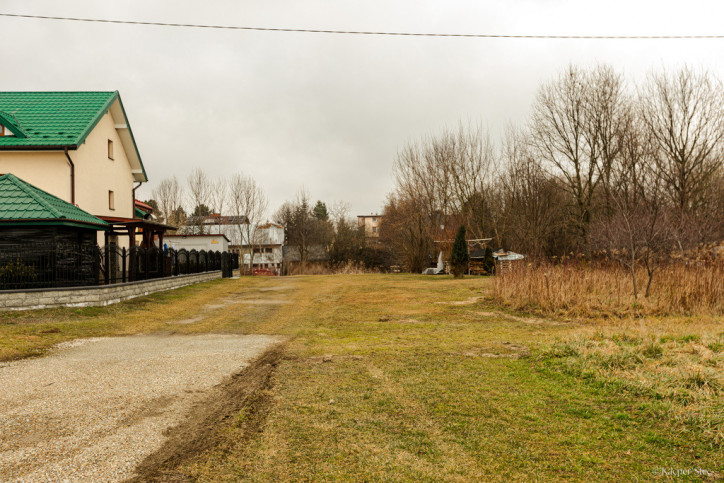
[45, 265]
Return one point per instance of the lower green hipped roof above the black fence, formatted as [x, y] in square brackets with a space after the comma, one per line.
[23, 204]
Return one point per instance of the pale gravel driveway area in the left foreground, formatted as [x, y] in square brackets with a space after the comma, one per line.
[94, 408]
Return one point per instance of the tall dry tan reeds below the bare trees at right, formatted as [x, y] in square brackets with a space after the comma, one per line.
[600, 289]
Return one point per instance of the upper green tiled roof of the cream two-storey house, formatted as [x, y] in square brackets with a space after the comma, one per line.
[57, 119]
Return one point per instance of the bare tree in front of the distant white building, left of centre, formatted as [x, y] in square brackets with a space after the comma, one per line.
[248, 204]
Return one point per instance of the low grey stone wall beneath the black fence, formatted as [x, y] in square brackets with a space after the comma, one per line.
[95, 295]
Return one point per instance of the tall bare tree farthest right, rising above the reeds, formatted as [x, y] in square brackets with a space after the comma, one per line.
[684, 114]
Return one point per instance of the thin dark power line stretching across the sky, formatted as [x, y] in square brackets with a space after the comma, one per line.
[363, 32]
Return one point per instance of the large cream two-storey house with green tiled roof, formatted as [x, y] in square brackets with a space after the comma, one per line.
[79, 147]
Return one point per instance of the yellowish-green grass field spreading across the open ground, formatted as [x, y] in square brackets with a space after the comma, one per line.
[402, 377]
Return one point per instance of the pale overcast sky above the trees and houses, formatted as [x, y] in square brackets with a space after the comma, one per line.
[329, 112]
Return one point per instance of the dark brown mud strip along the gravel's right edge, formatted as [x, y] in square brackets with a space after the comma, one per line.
[203, 427]
